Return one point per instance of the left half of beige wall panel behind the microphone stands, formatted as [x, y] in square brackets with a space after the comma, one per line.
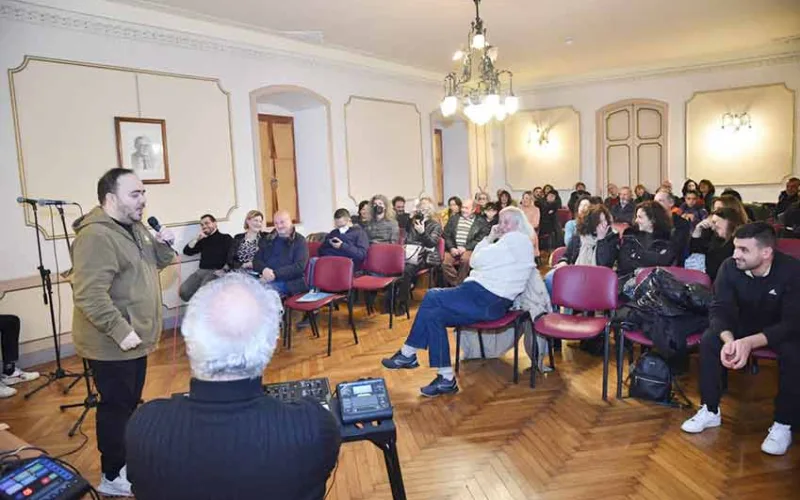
[65, 117]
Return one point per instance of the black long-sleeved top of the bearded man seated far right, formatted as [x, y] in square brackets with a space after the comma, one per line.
[746, 305]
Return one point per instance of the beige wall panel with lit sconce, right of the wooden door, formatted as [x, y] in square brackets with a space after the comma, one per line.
[763, 154]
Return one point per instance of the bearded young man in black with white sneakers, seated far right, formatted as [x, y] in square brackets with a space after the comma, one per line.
[756, 299]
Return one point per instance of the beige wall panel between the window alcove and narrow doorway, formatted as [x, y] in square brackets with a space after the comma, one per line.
[384, 148]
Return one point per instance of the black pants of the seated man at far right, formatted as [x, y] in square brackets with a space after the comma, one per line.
[787, 402]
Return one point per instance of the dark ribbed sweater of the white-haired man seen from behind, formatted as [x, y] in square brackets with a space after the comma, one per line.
[228, 440]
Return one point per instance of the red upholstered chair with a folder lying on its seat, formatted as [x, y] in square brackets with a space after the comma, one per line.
[333, 275]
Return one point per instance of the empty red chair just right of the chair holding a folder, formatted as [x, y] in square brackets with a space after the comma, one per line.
[388, 261]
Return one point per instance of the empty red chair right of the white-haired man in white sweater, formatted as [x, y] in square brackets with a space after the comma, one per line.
[580, 288]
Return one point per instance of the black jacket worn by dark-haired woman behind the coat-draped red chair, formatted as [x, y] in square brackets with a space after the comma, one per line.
[640, 249]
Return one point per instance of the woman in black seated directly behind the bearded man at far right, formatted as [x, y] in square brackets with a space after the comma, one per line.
[713, 237]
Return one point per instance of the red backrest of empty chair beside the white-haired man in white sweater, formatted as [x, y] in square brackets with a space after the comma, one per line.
[585, 288]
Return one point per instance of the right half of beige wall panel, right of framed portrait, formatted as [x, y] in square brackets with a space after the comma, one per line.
[199, 147]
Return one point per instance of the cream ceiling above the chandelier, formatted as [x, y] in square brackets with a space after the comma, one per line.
[608, 36]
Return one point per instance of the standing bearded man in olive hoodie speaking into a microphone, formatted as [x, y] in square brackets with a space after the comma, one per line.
[117, 309]
